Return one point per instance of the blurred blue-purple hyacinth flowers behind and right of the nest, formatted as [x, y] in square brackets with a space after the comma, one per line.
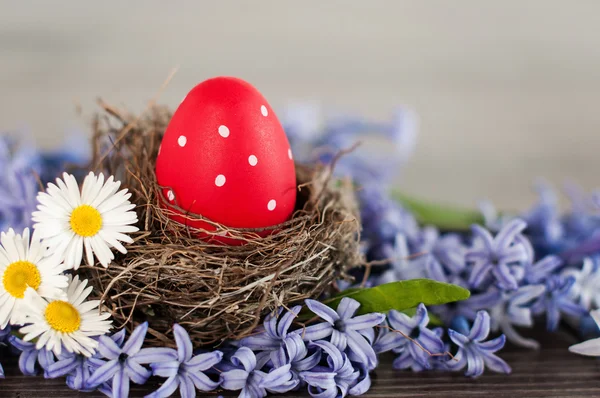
[518, 267]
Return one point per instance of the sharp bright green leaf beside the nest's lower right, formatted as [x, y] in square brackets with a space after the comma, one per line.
[402, 295]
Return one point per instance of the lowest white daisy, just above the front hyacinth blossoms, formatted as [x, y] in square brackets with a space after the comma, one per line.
[70, 323]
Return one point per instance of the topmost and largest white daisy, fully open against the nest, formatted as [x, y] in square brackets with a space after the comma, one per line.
[96, 218]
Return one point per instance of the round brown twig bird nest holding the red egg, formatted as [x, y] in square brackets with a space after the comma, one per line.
[215, 291]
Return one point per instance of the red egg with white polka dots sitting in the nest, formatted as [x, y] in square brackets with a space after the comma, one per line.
[225, 156]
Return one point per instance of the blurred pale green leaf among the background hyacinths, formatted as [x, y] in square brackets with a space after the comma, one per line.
[445, 217]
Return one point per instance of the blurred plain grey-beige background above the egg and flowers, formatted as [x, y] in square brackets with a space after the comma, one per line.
[506, 91]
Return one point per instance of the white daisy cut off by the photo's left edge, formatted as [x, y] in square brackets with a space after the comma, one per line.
[23, 264]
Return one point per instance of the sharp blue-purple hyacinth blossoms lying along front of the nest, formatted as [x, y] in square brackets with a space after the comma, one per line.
[332, 357]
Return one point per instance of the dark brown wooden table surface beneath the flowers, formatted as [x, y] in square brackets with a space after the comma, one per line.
[551, 372]
